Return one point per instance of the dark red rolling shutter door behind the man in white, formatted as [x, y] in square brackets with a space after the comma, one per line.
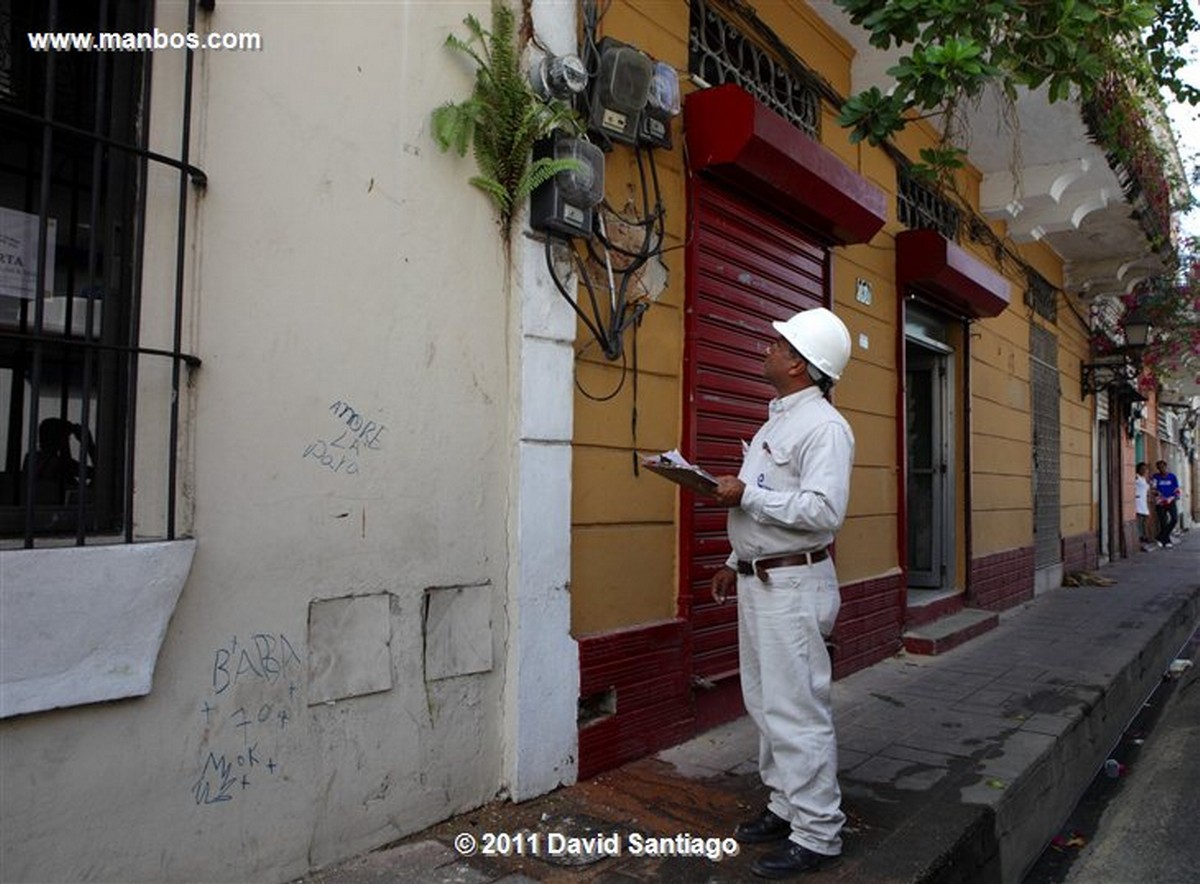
[747, 268]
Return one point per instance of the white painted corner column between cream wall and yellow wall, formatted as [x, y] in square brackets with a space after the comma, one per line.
[542, 673]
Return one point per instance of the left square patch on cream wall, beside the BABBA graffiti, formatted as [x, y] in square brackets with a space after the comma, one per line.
[349, 647]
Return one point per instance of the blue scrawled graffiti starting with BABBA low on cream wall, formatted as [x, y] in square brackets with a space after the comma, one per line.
[245, 715]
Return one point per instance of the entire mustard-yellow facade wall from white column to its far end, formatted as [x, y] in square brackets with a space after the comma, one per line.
[626, 544]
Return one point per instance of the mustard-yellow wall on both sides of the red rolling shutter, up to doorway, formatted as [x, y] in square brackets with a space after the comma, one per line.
[626, 543]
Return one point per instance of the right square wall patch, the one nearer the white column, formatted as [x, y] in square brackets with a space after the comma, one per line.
[458, 632]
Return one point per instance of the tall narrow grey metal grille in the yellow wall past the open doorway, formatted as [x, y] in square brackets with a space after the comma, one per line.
[1047, 436]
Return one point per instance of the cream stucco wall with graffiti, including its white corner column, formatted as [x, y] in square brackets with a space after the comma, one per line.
[349, 299]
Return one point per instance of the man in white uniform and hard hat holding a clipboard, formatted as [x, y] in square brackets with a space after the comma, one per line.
[785, 507]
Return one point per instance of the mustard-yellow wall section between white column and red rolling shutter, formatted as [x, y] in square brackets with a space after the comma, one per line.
[625, 527]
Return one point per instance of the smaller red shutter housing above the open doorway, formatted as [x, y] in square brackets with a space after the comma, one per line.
[950, 276]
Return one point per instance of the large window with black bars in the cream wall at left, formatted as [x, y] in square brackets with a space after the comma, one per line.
[87, 404]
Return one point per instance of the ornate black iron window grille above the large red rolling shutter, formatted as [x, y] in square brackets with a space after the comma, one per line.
[721, 50]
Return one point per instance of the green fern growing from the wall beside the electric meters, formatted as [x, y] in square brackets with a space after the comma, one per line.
[503, 118]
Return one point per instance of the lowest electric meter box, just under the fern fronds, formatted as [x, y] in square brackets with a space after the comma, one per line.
[565, 205]
